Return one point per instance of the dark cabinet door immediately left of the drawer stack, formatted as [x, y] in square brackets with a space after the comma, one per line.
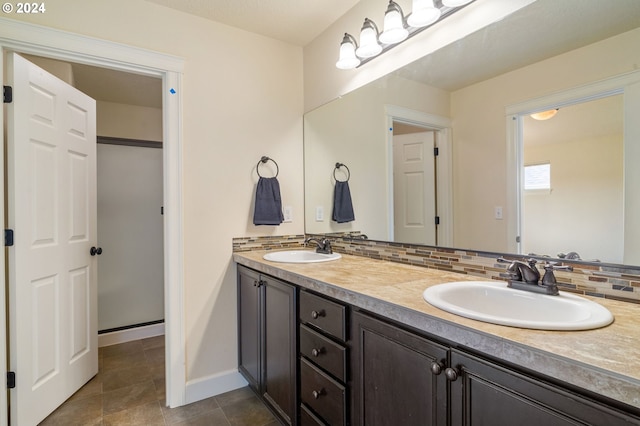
[280, 348]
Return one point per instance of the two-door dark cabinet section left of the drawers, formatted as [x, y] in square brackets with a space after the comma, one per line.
[267, 329]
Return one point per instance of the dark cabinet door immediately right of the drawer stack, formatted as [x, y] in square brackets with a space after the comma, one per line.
[393, 382]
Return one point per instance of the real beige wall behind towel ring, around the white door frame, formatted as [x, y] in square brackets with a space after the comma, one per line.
[242, 98]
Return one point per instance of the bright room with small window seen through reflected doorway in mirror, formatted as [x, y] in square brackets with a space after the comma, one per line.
[572, 194]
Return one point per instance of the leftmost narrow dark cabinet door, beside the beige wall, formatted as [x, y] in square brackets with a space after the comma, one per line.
[249, 333]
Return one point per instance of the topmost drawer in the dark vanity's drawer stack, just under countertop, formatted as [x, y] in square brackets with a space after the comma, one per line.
[324, 314]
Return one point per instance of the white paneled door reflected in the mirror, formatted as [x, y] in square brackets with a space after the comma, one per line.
[414, 195]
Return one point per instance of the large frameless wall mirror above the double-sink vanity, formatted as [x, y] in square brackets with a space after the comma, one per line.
[472, 102]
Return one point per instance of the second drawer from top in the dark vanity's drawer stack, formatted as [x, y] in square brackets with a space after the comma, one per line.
[323, 352]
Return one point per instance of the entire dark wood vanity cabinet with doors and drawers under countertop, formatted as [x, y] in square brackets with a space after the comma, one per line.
[316, 361]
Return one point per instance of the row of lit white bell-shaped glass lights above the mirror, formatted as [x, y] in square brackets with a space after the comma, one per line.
[395, 30]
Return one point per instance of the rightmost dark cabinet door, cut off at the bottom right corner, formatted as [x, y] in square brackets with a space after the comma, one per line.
[489, 395]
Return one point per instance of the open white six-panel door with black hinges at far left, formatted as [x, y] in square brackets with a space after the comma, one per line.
[51, 162]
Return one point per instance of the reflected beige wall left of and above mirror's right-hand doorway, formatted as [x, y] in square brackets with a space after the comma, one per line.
[479, 130]
